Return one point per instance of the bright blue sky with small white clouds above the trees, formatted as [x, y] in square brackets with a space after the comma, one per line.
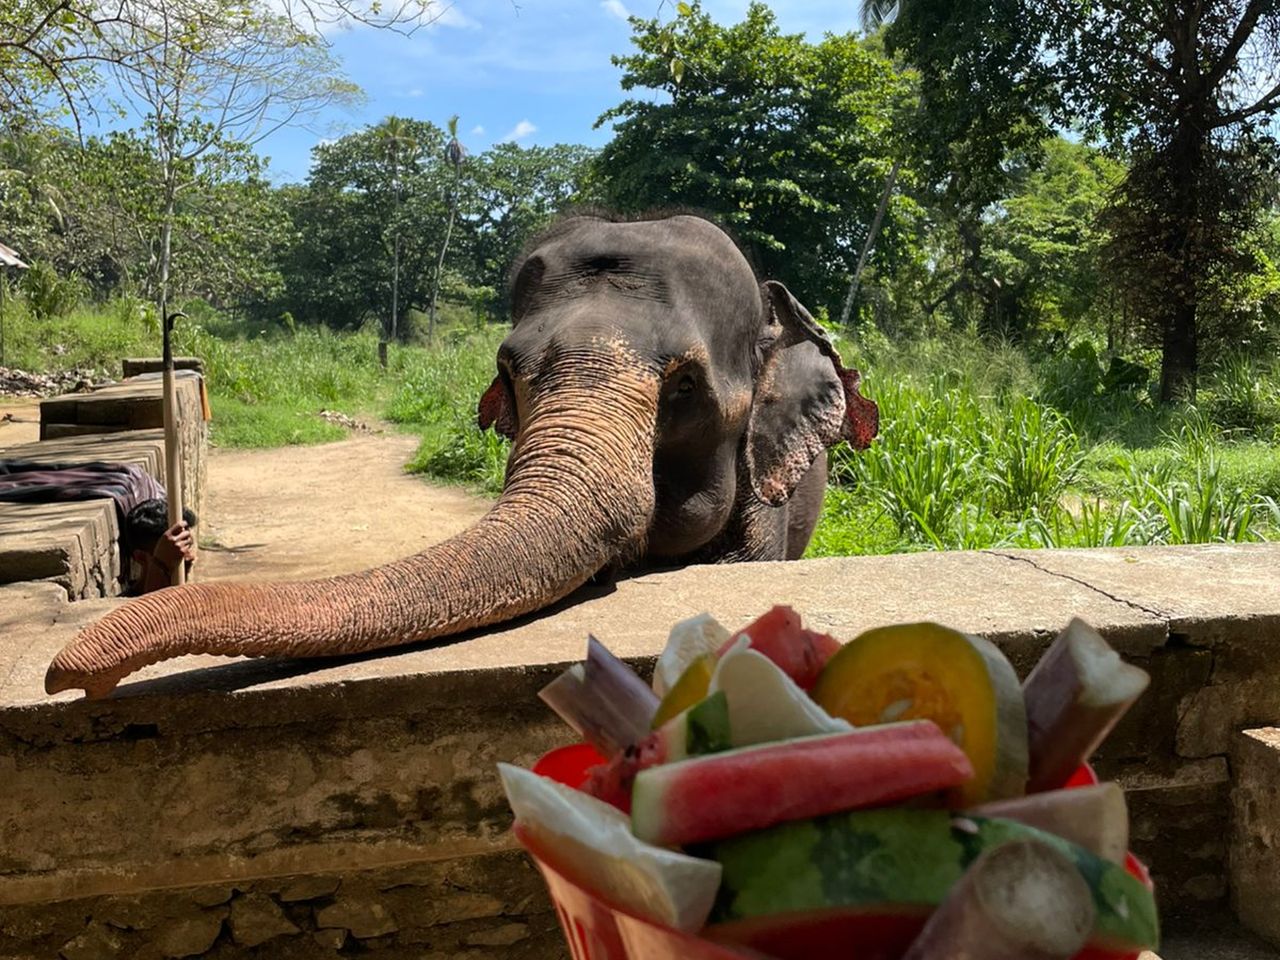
[532, 71]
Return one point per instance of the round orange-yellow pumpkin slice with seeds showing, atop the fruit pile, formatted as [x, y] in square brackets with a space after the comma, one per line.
[962, 683]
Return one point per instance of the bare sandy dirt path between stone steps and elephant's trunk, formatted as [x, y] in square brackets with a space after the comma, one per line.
[299, 513]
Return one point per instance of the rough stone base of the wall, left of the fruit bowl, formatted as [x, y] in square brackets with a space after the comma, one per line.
[470, 908]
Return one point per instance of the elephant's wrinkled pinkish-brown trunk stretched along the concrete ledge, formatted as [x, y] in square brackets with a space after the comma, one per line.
[579, 493]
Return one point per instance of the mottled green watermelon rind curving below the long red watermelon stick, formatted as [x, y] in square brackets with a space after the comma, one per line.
[903, 858]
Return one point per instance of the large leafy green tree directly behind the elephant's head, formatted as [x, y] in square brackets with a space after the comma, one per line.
[787, 143]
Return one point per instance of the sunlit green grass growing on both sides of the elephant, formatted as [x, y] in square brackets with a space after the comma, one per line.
[980, 446]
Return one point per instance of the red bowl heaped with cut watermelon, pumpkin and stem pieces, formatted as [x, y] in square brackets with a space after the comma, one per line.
[784, 796]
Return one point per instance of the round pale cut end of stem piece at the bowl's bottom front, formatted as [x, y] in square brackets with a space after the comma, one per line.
[1023, 900]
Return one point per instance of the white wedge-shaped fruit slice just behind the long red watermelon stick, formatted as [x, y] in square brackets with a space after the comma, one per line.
[765, 705]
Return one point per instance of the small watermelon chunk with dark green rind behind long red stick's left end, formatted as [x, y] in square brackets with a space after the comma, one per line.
[703, 729]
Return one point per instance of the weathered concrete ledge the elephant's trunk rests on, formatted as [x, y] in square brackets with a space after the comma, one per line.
[203, 774]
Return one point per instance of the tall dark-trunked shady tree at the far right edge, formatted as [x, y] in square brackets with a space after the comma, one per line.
[1185, 90]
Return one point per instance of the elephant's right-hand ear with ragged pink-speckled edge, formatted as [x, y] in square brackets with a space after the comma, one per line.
[806, 400]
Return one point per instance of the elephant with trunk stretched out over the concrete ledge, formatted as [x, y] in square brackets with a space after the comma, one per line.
[666, 408]
